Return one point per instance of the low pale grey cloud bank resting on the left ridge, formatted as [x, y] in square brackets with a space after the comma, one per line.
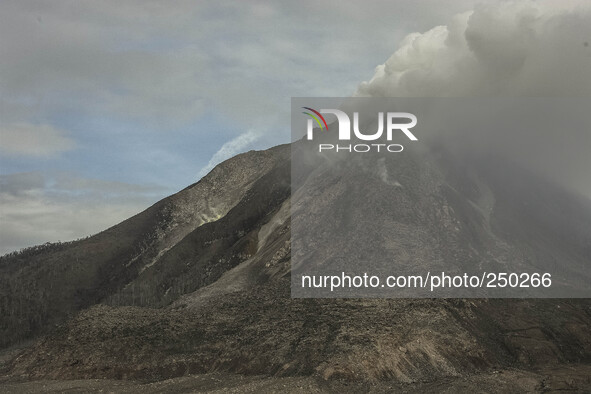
[38, 207]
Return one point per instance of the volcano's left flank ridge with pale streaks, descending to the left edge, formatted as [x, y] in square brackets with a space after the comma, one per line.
[42, 286]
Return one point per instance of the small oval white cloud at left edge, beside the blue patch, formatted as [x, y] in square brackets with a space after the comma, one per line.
[33, 140]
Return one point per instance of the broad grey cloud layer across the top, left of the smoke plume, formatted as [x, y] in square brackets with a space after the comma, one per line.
[169, 63]
